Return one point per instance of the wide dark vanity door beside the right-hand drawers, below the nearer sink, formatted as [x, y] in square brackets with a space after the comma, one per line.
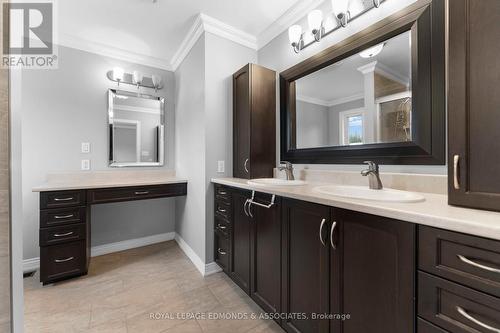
[377, 273]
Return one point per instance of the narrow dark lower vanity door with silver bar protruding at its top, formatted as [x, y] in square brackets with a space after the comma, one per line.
[266, 254]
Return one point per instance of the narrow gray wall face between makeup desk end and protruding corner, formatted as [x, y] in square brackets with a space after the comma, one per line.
[190, 147]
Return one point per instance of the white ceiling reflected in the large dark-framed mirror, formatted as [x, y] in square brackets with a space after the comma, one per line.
[343, 80]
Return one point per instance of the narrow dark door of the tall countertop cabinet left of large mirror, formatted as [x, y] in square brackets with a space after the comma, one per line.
[241, 123]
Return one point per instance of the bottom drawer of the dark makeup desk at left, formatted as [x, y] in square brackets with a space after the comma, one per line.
[61, 261]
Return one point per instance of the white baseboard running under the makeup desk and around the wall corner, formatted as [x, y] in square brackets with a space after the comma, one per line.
[33, 264]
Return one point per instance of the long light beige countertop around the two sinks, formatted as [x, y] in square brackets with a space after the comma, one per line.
[434, 211]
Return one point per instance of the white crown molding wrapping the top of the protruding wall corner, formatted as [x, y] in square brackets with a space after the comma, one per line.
[204, 23]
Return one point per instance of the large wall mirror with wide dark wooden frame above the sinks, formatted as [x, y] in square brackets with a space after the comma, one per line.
[379, 95]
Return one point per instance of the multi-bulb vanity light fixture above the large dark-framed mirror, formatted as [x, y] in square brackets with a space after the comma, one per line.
[320, 28]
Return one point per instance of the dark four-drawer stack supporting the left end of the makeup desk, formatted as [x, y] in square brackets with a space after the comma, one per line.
[64, 235]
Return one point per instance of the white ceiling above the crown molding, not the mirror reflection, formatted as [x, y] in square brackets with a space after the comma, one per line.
[158, 29]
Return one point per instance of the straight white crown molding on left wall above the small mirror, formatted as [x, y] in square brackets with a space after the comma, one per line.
[112, 52]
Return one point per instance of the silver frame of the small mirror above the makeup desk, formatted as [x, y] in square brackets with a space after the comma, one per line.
[161, 130]
